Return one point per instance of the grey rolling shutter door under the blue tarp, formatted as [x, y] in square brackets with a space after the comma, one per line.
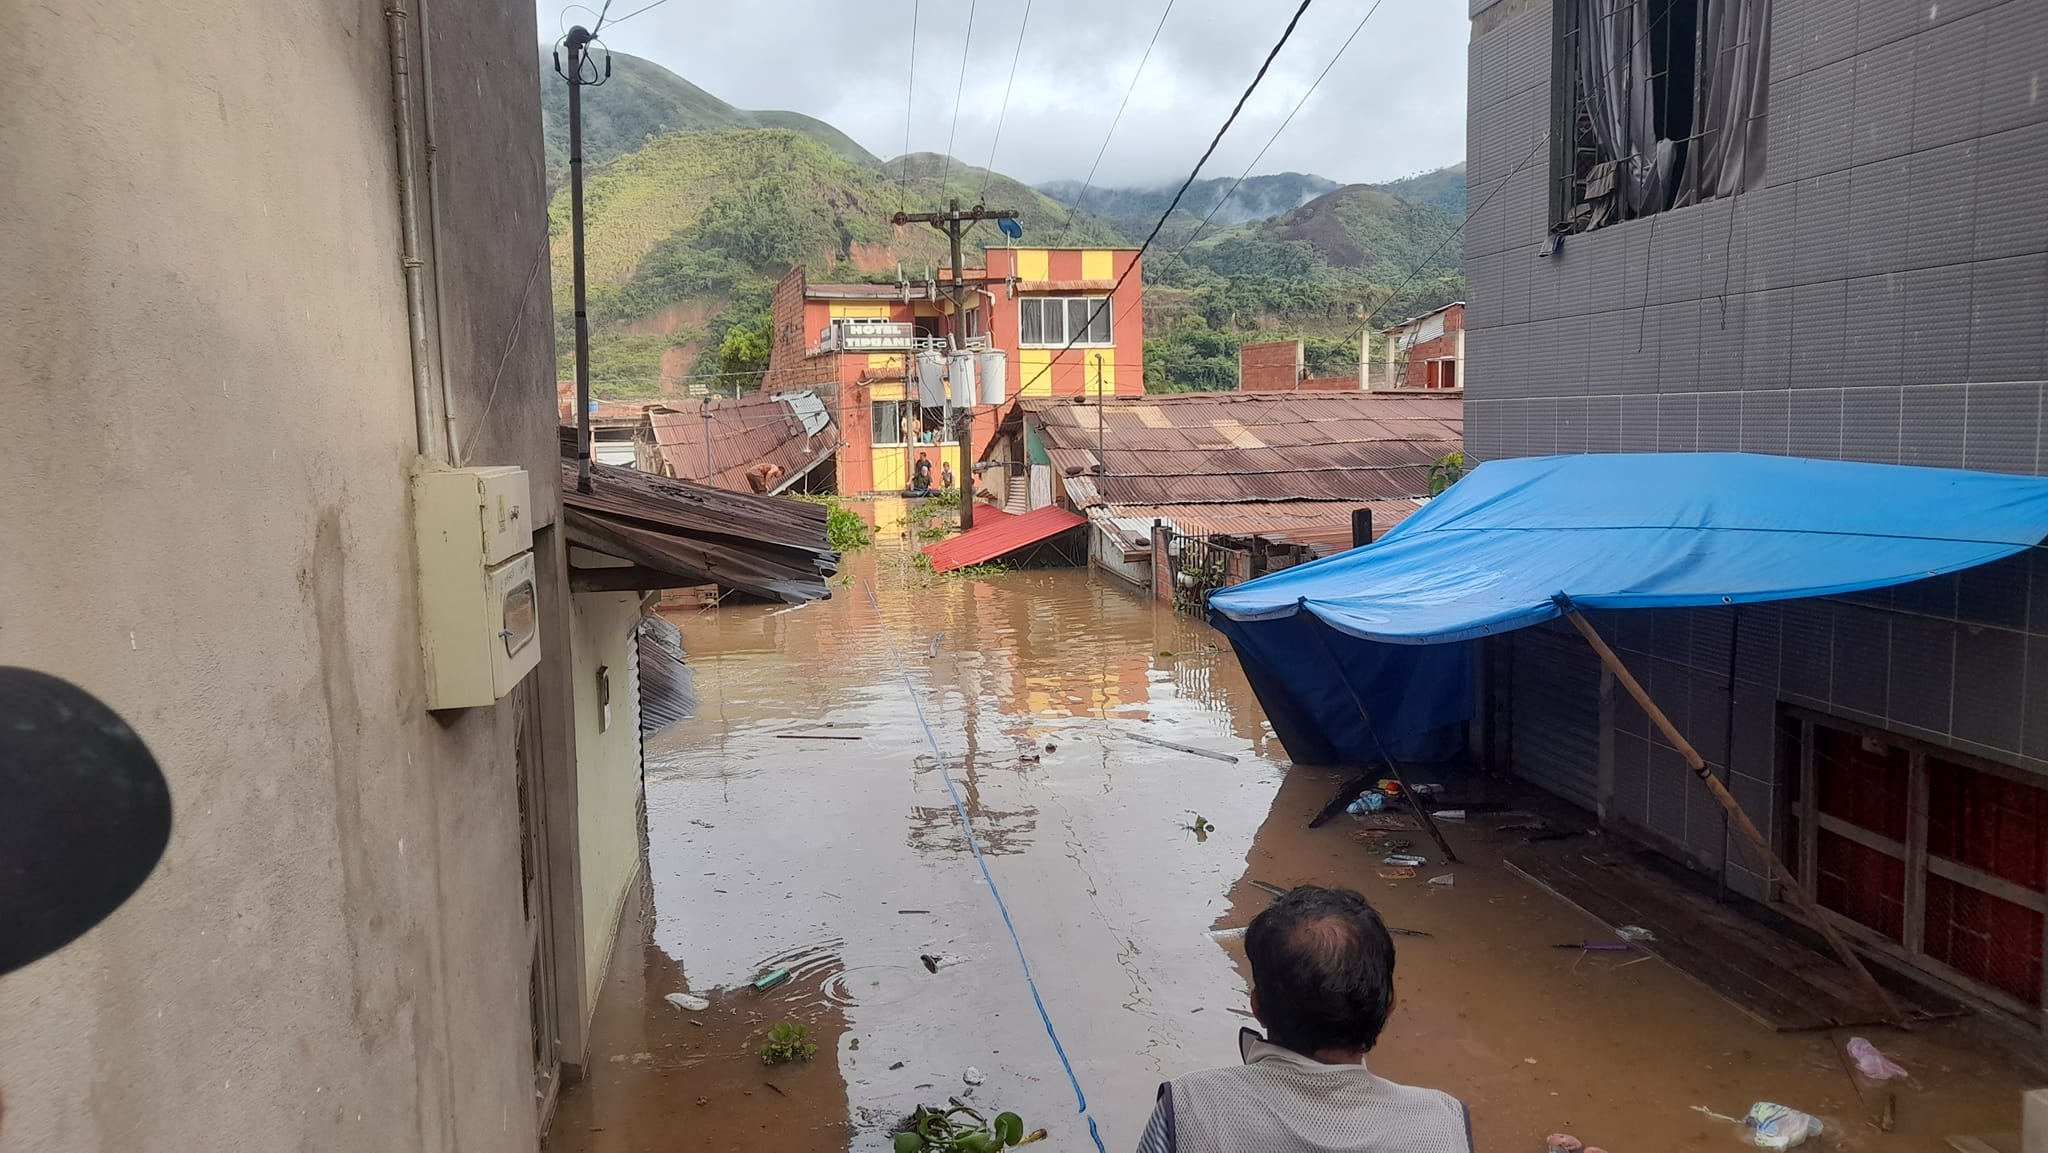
[1555, 714]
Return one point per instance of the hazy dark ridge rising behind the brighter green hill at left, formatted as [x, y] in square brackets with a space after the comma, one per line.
[642, 101]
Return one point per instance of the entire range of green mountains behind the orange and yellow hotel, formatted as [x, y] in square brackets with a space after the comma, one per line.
[695, 210]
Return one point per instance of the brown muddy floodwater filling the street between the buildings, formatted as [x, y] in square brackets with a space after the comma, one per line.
[804, 824]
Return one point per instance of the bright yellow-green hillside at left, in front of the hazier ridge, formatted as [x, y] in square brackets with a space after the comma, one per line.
[687, 234]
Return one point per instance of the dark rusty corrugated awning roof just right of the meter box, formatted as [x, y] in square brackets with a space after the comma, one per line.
[681, 533]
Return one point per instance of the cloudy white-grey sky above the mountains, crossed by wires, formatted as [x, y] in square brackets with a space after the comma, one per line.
[1392, 108]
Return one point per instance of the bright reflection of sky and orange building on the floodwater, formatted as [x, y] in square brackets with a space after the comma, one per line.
[845, 859]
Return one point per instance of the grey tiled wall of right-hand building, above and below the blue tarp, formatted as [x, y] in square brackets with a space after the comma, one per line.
[1883, 296]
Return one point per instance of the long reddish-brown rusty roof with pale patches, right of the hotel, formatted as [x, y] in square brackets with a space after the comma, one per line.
[1250, 447]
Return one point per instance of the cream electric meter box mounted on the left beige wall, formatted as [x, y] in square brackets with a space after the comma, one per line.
[480, 617]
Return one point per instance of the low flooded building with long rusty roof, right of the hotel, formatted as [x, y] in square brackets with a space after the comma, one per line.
[1277, 472]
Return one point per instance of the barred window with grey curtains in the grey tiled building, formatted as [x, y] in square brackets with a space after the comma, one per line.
[1656, 105]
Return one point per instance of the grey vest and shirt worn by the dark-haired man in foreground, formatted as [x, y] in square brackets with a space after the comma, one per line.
[1285, 1103]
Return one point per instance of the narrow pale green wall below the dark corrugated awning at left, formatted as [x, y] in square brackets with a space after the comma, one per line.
[607, 765]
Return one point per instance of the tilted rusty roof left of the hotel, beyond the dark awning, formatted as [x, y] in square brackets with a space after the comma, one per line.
[759, 441]
